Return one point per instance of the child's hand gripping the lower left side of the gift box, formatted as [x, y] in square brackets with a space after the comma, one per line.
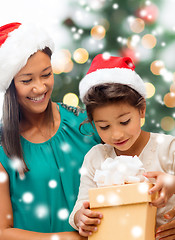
[87, 220]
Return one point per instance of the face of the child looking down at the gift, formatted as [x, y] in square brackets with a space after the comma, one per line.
[118, 125]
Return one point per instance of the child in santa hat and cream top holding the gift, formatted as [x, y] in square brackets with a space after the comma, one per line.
[114, 96]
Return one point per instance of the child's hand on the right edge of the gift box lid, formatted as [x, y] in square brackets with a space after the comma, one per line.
[165, 186]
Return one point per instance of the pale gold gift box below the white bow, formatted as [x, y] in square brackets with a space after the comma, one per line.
[127, 214]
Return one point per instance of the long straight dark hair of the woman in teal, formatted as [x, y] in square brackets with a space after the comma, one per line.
[11, 118]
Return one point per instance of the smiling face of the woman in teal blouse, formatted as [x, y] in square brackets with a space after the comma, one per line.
[34, 83]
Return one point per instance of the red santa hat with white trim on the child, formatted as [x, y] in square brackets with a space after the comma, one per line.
[112, 70]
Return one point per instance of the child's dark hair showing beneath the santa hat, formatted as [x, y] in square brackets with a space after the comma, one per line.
[104, 94]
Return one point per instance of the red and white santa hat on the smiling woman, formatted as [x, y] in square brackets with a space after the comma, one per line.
[17, 43]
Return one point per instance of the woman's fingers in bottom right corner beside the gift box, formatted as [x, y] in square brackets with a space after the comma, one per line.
[167, 231]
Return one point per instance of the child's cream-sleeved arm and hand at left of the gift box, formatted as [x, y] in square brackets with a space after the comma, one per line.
[82, 218]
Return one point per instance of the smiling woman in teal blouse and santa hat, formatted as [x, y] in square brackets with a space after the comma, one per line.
[42, 148]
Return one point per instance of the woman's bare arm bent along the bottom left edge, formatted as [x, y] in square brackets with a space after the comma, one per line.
[6, 219]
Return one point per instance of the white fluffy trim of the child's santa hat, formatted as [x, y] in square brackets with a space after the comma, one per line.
[112, 75]
